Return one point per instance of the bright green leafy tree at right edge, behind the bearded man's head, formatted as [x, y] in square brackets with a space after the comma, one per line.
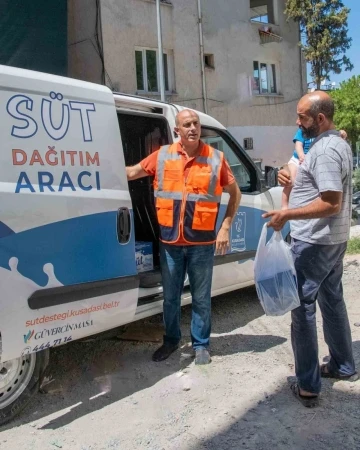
[347, 108]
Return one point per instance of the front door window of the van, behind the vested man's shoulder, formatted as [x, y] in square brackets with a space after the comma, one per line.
[241, 172]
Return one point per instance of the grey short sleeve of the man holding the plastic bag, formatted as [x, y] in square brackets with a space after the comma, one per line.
[327, 171]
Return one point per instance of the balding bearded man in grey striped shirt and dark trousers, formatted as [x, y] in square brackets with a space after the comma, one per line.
[320, 215]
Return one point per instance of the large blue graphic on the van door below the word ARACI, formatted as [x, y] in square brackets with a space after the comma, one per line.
[81, 250]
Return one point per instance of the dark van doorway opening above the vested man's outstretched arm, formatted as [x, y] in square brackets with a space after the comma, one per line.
[141, 135]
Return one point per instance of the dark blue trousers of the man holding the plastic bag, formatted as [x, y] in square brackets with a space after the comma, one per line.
[319, 270]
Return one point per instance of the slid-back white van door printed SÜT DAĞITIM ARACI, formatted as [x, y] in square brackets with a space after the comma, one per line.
[67, 245]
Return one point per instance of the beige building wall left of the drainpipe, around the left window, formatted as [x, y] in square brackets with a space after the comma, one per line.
[127, 25]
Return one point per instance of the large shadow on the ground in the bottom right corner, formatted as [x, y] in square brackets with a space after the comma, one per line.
[280, 422]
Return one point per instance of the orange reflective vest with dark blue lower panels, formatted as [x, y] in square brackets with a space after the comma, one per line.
[188, 208]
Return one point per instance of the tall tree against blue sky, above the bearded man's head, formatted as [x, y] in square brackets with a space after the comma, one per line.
[323, 25]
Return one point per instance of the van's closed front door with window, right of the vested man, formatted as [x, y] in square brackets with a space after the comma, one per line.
[235, 269]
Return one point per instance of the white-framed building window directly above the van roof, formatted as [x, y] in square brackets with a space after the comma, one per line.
[147, 70]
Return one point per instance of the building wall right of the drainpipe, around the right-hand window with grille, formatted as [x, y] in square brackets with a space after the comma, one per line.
[235, 42]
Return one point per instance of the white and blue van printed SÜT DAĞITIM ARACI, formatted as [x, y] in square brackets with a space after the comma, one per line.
[78, 243]
